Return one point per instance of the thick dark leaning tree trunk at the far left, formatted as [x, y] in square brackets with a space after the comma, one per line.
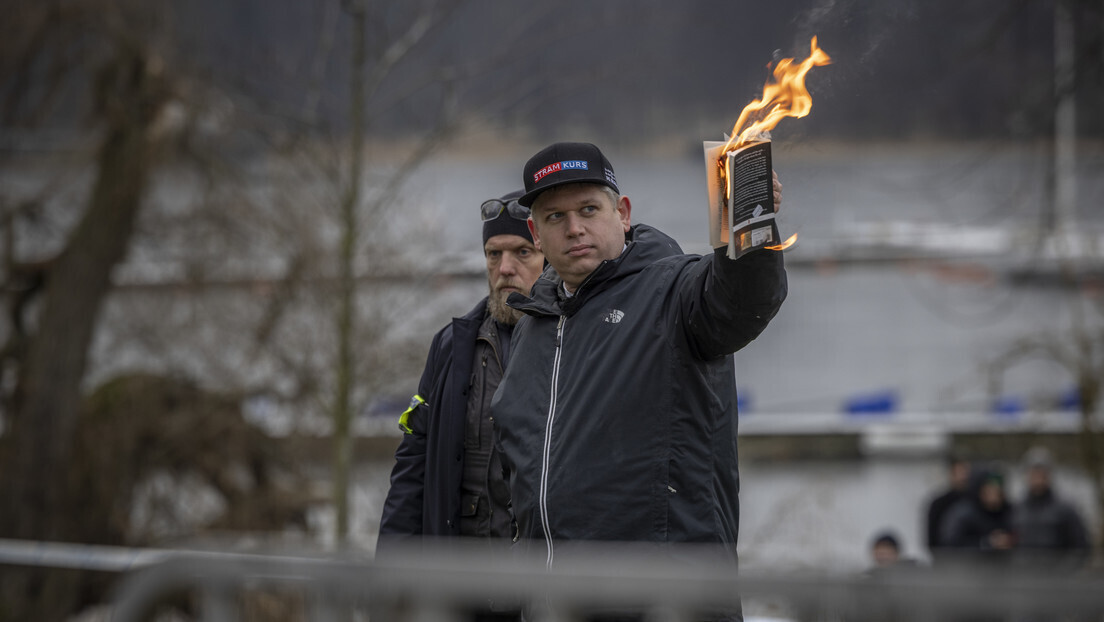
[40, 446]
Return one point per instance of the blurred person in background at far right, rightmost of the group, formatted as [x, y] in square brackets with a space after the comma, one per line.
[1050, 533]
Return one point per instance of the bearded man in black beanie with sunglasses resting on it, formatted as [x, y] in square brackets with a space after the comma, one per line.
[448, 480]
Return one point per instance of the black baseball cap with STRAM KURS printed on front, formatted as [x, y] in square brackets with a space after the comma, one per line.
[566, 163]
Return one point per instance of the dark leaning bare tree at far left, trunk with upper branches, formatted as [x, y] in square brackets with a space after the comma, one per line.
[129, 93]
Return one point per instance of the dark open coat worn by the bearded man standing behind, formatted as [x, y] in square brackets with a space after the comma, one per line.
[424, 498]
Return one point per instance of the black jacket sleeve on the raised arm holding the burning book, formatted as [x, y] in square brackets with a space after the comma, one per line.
[728, 303]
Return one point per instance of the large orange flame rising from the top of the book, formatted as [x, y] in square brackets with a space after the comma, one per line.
[785, 97]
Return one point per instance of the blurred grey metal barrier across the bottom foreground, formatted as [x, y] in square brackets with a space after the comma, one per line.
[654, 585]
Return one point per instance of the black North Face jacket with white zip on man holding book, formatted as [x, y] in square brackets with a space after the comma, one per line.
[618, 416]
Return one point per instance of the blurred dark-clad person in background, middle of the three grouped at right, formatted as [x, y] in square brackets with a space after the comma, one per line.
[979, 529]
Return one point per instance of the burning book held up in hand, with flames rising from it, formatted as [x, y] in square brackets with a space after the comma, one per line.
[739, 172]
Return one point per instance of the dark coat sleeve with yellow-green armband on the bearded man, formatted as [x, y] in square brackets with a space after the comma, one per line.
[404, 509]
